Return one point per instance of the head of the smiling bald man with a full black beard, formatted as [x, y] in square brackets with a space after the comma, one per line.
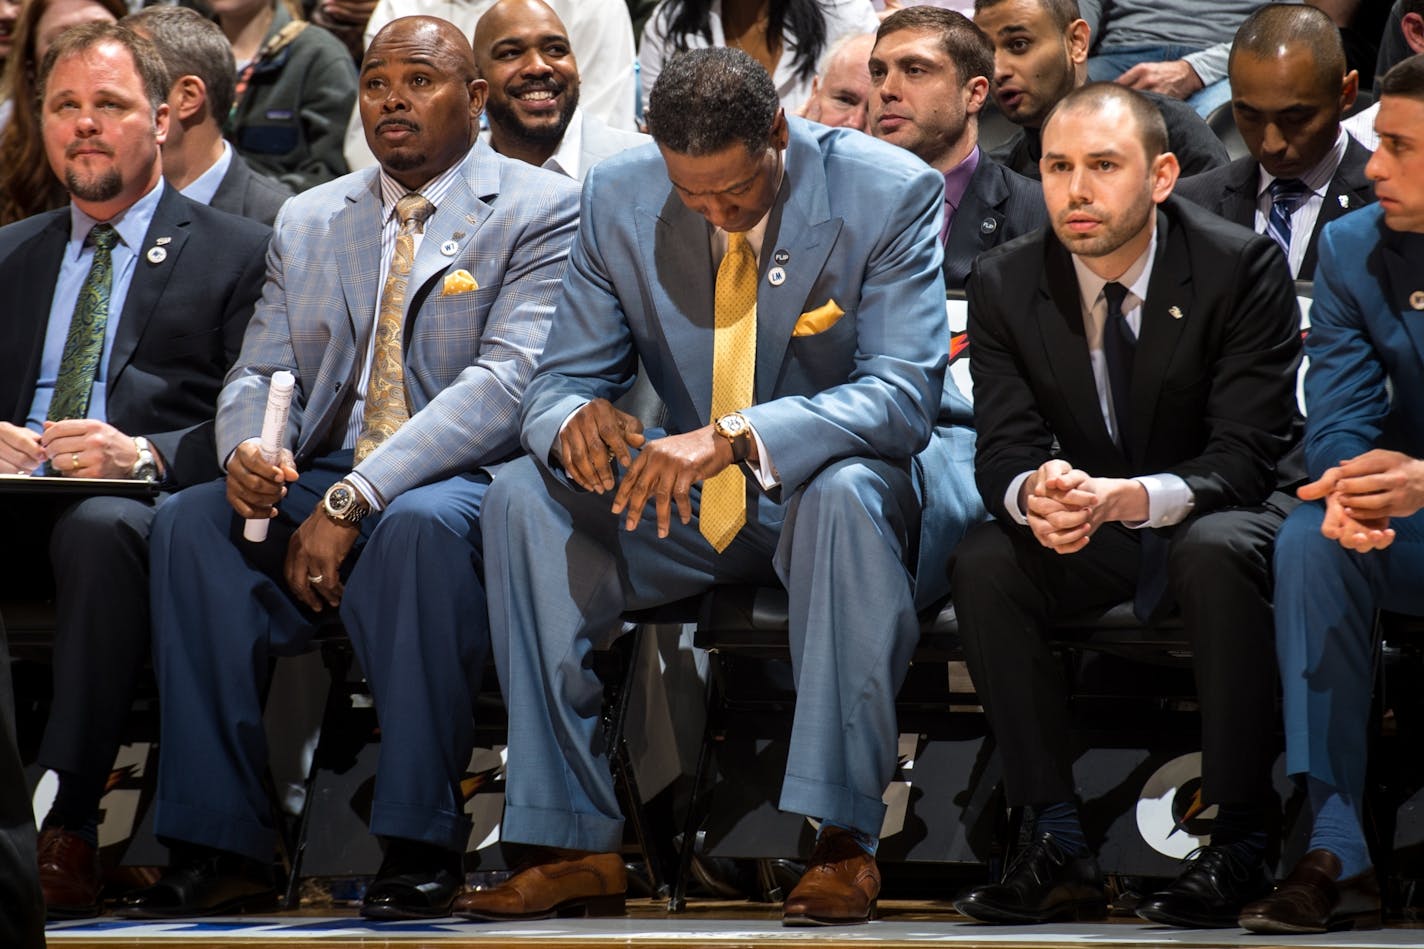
[522, 51]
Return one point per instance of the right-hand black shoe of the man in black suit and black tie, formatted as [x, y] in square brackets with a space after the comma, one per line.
[1210, 893]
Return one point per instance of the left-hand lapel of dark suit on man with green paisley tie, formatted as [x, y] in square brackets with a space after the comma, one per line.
[22, 333]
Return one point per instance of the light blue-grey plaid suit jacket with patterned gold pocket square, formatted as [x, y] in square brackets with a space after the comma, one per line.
[469, 357]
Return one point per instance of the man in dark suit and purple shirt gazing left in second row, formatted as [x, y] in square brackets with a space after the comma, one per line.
[928, 85]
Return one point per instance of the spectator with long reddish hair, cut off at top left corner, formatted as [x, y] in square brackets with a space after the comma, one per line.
[28, 186]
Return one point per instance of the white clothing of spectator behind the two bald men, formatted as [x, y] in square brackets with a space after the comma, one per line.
[600, 29]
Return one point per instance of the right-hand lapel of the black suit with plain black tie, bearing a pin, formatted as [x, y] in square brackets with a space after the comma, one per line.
[1166, 314]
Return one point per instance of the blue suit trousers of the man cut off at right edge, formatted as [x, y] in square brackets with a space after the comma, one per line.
[1326, 598]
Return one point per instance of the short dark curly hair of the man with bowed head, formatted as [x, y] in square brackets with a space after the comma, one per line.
[706, 100]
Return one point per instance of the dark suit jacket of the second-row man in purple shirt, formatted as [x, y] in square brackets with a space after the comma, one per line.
[998, 207]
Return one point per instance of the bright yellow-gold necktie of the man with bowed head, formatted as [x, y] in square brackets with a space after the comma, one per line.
[734, 377]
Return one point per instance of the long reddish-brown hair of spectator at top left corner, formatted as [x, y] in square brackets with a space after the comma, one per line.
[28, 185]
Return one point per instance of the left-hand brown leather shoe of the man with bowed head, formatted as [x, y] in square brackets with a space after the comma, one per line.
[553, 884]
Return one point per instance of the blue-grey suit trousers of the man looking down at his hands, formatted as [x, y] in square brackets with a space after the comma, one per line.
[569, 571]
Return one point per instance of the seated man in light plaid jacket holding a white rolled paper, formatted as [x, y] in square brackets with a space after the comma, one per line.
[422, 289]
